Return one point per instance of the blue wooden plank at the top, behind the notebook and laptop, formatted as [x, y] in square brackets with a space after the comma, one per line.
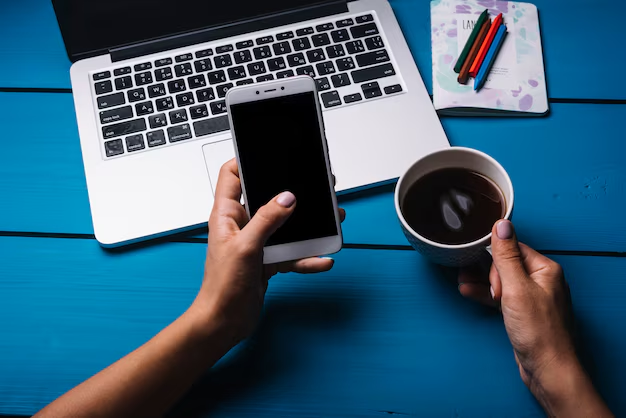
[32, 52]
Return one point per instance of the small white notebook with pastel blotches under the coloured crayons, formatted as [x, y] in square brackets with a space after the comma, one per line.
[516, 85]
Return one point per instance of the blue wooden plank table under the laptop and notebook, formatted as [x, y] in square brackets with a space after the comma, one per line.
[384, 332]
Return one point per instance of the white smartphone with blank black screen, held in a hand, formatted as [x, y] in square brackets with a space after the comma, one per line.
[280, 145]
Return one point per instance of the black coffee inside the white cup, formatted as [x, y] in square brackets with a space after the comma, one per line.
[453, 206]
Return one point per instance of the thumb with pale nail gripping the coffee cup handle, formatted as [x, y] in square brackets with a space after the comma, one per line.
[507, 257]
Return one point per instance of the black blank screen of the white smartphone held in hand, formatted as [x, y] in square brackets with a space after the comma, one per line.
[280, 149]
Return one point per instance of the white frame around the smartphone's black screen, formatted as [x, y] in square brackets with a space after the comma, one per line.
[269, 90]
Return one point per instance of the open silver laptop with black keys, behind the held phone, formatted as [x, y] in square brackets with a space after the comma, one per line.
[149, 79]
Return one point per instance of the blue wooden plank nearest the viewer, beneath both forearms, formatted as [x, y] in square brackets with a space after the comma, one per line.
[384, 331]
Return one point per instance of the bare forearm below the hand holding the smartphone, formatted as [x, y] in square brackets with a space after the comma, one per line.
[148, 381]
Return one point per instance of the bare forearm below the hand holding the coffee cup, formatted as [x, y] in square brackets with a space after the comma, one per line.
[567, 391]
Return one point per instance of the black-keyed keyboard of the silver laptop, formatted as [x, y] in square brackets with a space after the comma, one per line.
[152, 104]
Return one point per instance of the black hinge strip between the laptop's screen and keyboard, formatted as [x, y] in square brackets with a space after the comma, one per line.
[231, 29]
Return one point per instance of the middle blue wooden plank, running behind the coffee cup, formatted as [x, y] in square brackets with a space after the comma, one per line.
[567, 171]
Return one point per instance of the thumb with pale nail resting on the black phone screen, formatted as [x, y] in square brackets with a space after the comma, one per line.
[270, 217]
